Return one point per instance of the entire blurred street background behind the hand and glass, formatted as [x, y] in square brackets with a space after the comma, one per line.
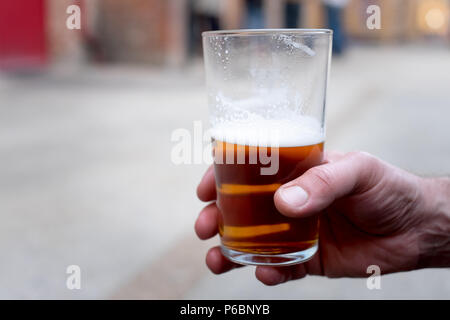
[86, 117]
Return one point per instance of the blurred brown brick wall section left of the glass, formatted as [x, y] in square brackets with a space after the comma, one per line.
[142, 30]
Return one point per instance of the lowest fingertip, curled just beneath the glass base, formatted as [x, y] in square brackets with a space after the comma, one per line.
[272, 276]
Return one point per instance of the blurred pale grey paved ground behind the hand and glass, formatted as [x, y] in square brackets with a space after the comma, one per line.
[86, 176]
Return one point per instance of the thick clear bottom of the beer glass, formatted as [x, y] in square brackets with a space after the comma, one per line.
[256, 259]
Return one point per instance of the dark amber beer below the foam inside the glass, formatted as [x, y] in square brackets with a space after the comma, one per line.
[249, 221]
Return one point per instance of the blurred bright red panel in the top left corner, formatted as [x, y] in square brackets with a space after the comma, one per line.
[22, 33]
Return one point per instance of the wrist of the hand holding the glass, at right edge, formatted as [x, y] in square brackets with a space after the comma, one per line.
[434, 231]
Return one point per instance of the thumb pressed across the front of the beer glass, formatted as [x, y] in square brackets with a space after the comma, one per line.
[320, 186]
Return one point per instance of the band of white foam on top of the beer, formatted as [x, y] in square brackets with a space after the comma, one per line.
[293, 132]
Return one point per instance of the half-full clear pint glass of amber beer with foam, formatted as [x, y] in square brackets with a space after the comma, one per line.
[266, 95]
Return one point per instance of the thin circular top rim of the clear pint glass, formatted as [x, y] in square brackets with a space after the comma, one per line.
[256, 32]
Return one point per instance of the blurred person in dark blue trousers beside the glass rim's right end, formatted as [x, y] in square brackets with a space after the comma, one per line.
[334, 14]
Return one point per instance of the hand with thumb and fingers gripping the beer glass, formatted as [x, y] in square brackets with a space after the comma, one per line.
[370, 213]
